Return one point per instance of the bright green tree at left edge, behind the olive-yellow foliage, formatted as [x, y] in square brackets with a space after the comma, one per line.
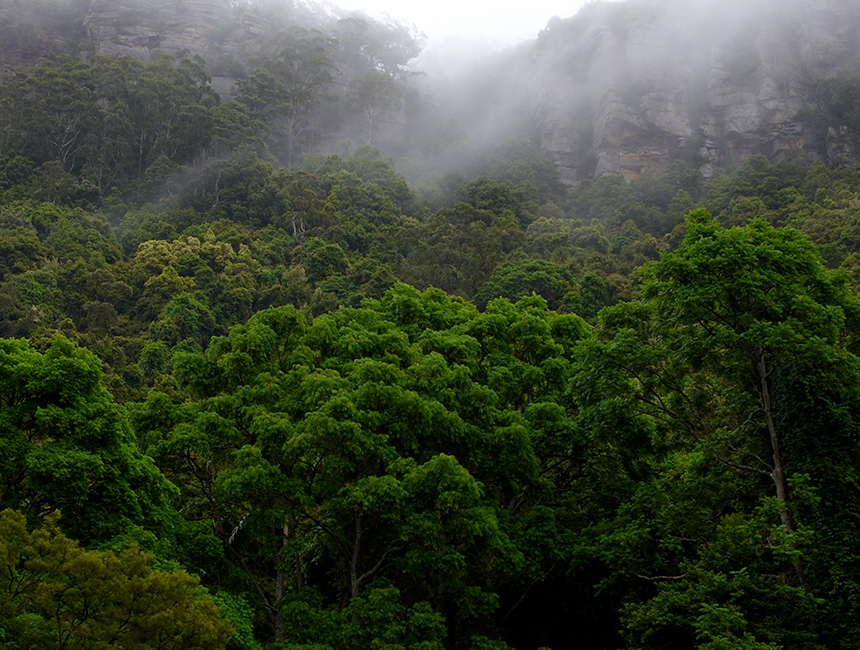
[67, 447]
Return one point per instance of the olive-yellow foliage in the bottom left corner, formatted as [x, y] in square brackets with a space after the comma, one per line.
[56, 595]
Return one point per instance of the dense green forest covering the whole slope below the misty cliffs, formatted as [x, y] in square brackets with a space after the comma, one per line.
[243, 381]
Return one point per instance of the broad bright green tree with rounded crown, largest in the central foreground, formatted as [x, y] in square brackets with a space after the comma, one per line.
[375, 453]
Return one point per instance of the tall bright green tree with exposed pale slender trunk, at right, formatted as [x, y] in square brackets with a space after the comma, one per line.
[741, 354]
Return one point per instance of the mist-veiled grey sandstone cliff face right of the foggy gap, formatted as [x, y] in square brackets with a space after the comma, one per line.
[629, 87]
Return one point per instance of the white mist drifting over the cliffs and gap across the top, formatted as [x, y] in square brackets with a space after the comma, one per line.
[614, 88]
